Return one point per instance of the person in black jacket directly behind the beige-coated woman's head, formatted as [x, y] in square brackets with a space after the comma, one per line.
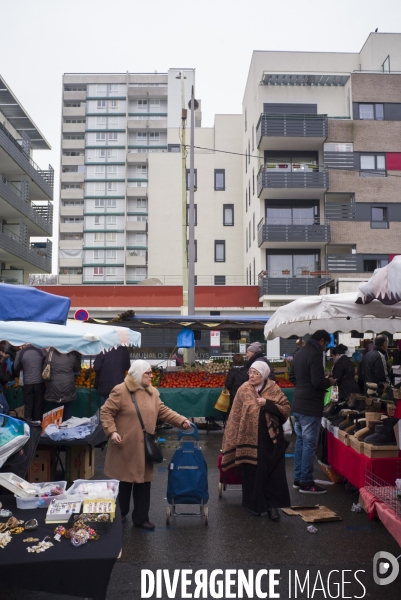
[110, 368]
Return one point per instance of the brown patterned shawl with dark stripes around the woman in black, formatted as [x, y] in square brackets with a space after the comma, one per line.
[240, 441]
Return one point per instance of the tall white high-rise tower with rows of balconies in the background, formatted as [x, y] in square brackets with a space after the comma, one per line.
[112, 126]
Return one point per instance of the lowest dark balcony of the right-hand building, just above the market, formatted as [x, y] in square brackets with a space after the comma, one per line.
[292, 286]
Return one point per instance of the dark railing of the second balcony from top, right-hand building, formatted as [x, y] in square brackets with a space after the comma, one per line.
[292, 175]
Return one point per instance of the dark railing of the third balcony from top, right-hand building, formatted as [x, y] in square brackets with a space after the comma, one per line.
[294, 230]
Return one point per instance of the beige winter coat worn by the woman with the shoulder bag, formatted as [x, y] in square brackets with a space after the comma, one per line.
[126, 462]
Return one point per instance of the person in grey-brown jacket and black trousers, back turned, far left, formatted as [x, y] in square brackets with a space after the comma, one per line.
[29, 360]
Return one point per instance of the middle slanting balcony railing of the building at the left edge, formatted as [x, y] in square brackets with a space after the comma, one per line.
[41, 214]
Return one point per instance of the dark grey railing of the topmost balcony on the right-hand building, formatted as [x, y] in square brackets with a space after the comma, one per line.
[291, 125]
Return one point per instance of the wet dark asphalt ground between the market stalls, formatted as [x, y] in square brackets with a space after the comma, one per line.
[235, 539]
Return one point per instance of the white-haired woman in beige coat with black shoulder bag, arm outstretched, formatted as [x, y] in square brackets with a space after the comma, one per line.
[125, 459]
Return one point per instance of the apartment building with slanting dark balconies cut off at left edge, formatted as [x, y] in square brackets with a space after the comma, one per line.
[26, 194]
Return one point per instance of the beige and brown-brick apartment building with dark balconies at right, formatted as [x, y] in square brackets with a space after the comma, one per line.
[322, 166]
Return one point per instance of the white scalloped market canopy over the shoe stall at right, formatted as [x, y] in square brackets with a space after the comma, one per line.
[332, 312]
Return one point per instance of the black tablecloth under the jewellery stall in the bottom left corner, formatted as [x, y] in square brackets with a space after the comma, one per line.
[62, 569]
